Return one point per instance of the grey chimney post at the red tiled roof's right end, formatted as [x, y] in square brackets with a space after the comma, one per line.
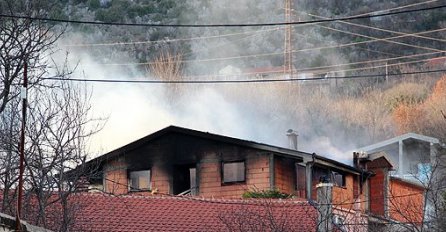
[325, 208]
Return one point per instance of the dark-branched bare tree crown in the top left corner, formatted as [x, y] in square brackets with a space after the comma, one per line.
[24, 40]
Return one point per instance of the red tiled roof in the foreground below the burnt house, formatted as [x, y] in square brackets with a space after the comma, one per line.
[100, 212]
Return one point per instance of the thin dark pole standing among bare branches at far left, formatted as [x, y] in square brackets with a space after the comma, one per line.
[23, 95]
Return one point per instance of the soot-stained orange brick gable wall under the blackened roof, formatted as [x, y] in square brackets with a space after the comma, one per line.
[209, 173]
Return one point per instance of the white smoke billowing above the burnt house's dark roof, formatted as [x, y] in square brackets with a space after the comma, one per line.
[136, 110]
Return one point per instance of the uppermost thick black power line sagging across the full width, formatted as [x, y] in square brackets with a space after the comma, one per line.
[222, 25]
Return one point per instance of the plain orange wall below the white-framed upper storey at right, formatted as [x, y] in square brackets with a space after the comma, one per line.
[405, 201]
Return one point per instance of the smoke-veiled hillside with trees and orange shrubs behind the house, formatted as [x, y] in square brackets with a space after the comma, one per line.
[387, 58]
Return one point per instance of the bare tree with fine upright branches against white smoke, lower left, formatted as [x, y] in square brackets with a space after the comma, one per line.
[58, 126]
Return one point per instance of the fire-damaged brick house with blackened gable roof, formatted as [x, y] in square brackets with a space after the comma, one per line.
[182, 161]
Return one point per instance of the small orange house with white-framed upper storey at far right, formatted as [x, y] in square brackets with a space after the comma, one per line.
[402, 170]
